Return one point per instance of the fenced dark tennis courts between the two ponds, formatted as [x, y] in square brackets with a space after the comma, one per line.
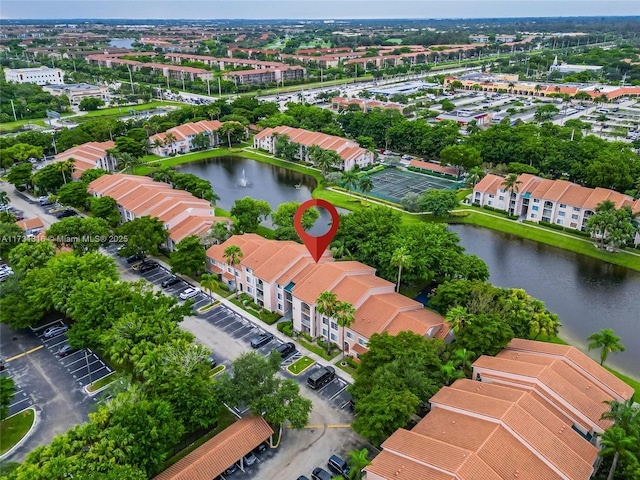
[393, 184]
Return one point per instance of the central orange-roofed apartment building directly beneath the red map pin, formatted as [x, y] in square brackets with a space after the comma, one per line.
[282, 277]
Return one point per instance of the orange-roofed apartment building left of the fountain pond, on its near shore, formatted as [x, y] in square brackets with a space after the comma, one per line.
[182, 214]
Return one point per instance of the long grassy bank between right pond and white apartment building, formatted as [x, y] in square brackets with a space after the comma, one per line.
[574, 244]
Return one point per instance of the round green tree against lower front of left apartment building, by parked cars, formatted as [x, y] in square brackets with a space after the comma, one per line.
[144, 235]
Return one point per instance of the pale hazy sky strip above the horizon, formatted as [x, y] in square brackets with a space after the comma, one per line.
[311, 9]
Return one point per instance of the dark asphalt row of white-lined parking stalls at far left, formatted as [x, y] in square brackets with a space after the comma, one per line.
[84, 366]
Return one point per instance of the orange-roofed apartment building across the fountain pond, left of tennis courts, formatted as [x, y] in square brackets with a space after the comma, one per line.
[350, 152]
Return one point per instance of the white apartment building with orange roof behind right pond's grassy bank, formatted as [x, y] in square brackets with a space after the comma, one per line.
[554, 201]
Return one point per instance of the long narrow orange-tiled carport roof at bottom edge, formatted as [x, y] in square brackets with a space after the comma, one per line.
[216, 455]
